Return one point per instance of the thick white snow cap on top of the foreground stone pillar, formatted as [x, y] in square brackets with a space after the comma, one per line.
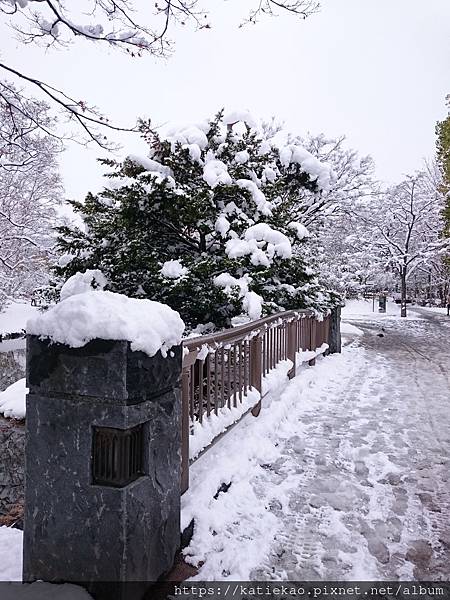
[149, 326]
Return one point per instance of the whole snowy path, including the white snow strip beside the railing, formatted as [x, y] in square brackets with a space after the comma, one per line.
[357, 486]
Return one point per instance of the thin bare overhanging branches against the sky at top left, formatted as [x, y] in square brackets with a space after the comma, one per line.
[114, 23]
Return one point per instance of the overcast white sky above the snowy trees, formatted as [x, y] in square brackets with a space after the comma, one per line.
[377, 71]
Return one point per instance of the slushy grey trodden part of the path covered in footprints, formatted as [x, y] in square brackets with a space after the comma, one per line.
[371, 498]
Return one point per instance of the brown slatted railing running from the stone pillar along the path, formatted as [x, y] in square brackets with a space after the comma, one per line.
[223, 372]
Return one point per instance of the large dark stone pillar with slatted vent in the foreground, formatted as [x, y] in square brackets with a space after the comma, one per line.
[102, 486]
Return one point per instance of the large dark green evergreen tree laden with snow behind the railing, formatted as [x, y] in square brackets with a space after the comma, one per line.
[207, 224]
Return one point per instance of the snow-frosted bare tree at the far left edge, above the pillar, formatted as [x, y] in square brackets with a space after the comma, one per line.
[30, 190]
